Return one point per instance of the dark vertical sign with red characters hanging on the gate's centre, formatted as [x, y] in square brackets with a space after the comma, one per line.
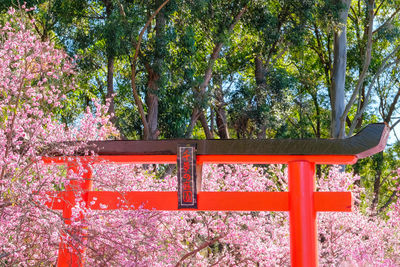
[187, 191]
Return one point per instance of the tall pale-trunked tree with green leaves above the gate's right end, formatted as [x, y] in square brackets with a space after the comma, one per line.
[360, 56]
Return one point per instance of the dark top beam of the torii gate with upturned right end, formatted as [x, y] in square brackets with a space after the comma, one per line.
[372, 139]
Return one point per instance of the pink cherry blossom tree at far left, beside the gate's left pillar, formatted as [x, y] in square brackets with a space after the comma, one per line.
[34, 78]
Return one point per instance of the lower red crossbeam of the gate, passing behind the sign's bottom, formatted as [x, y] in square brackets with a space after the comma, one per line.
[207, 201]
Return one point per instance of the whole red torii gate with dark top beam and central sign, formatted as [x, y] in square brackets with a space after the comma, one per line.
[301, 201]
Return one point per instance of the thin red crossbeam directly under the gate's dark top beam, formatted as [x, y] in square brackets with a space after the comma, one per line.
[225, 159]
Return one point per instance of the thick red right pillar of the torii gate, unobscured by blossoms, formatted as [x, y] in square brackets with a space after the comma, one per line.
[303, 230]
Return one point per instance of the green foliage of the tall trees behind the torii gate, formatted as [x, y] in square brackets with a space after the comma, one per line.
[293, 40]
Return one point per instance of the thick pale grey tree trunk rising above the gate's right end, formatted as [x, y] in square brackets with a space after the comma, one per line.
[339, 71]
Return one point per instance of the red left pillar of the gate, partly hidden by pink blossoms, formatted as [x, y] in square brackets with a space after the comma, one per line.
[68, 255]
